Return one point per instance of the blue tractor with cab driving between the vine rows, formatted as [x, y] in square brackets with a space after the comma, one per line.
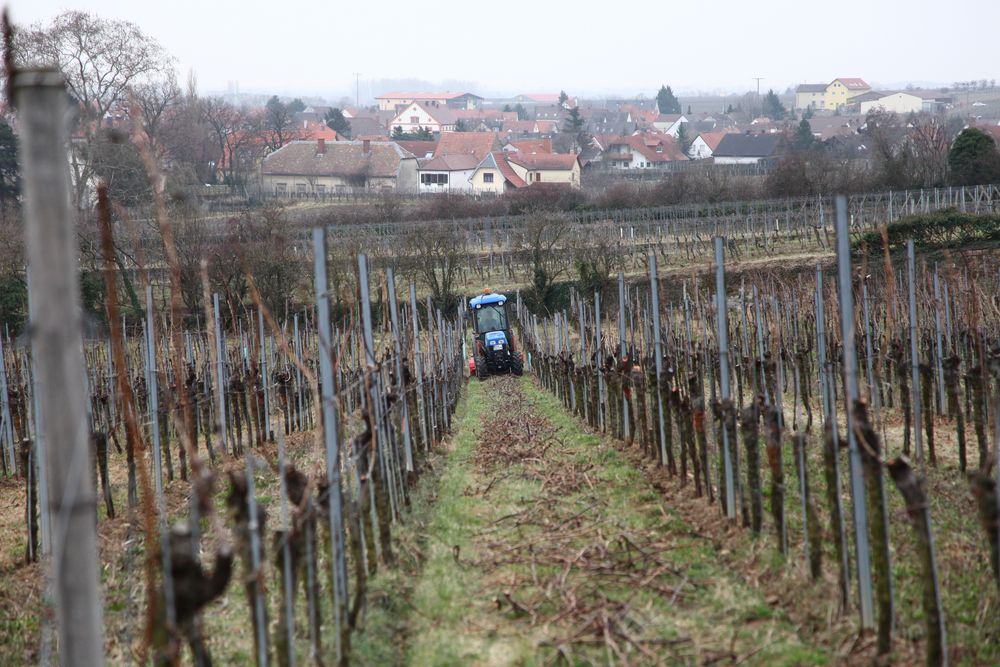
[493, 352]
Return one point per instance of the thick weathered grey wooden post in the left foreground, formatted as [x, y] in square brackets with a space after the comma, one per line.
[58, 362]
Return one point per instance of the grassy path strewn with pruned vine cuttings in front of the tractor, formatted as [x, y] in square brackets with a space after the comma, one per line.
[545, 541]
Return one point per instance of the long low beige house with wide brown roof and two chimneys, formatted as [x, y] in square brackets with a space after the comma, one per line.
[320, 168]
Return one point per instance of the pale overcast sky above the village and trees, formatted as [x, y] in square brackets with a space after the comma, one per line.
[291, 47]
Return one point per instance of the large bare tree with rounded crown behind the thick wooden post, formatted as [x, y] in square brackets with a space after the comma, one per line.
[101, 60]
